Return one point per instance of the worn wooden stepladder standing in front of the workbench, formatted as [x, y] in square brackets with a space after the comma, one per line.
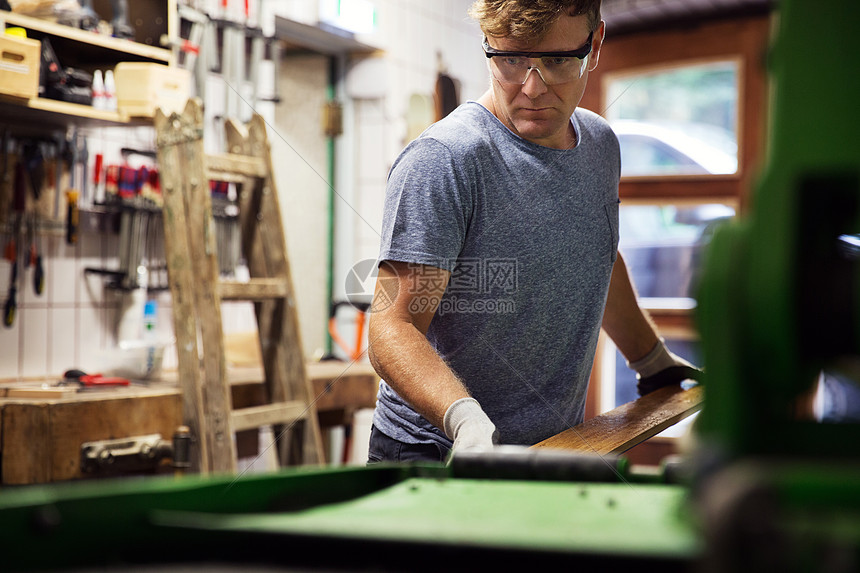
[197, 291]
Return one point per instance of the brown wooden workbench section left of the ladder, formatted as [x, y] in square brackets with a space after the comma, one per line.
[41, 437]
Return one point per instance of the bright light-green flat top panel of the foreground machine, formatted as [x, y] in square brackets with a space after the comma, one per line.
[618, 519]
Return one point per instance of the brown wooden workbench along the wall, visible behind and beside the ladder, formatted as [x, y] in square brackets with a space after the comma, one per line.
[43, 425]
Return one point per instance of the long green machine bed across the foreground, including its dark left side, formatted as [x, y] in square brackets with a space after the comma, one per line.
[410, 504]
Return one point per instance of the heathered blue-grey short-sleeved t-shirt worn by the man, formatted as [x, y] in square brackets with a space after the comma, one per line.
[530, 235]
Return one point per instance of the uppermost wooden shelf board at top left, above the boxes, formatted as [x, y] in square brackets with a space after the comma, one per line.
[133, 50]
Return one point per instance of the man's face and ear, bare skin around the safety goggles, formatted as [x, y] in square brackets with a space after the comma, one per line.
[535, 111]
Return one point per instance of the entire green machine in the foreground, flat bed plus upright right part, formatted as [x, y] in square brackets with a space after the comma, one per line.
[764, 491]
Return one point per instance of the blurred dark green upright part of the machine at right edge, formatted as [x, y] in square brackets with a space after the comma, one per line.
[780, 303]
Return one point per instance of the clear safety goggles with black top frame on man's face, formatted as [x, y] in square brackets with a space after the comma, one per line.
[554, 68]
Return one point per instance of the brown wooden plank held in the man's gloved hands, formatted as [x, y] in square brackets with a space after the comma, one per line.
[620, 429]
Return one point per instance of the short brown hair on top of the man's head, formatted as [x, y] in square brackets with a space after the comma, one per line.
[529, 19]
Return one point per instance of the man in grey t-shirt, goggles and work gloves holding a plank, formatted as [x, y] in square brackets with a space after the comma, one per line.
[499, 252]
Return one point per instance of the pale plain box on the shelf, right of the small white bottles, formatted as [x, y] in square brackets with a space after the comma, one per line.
[141, 88]
